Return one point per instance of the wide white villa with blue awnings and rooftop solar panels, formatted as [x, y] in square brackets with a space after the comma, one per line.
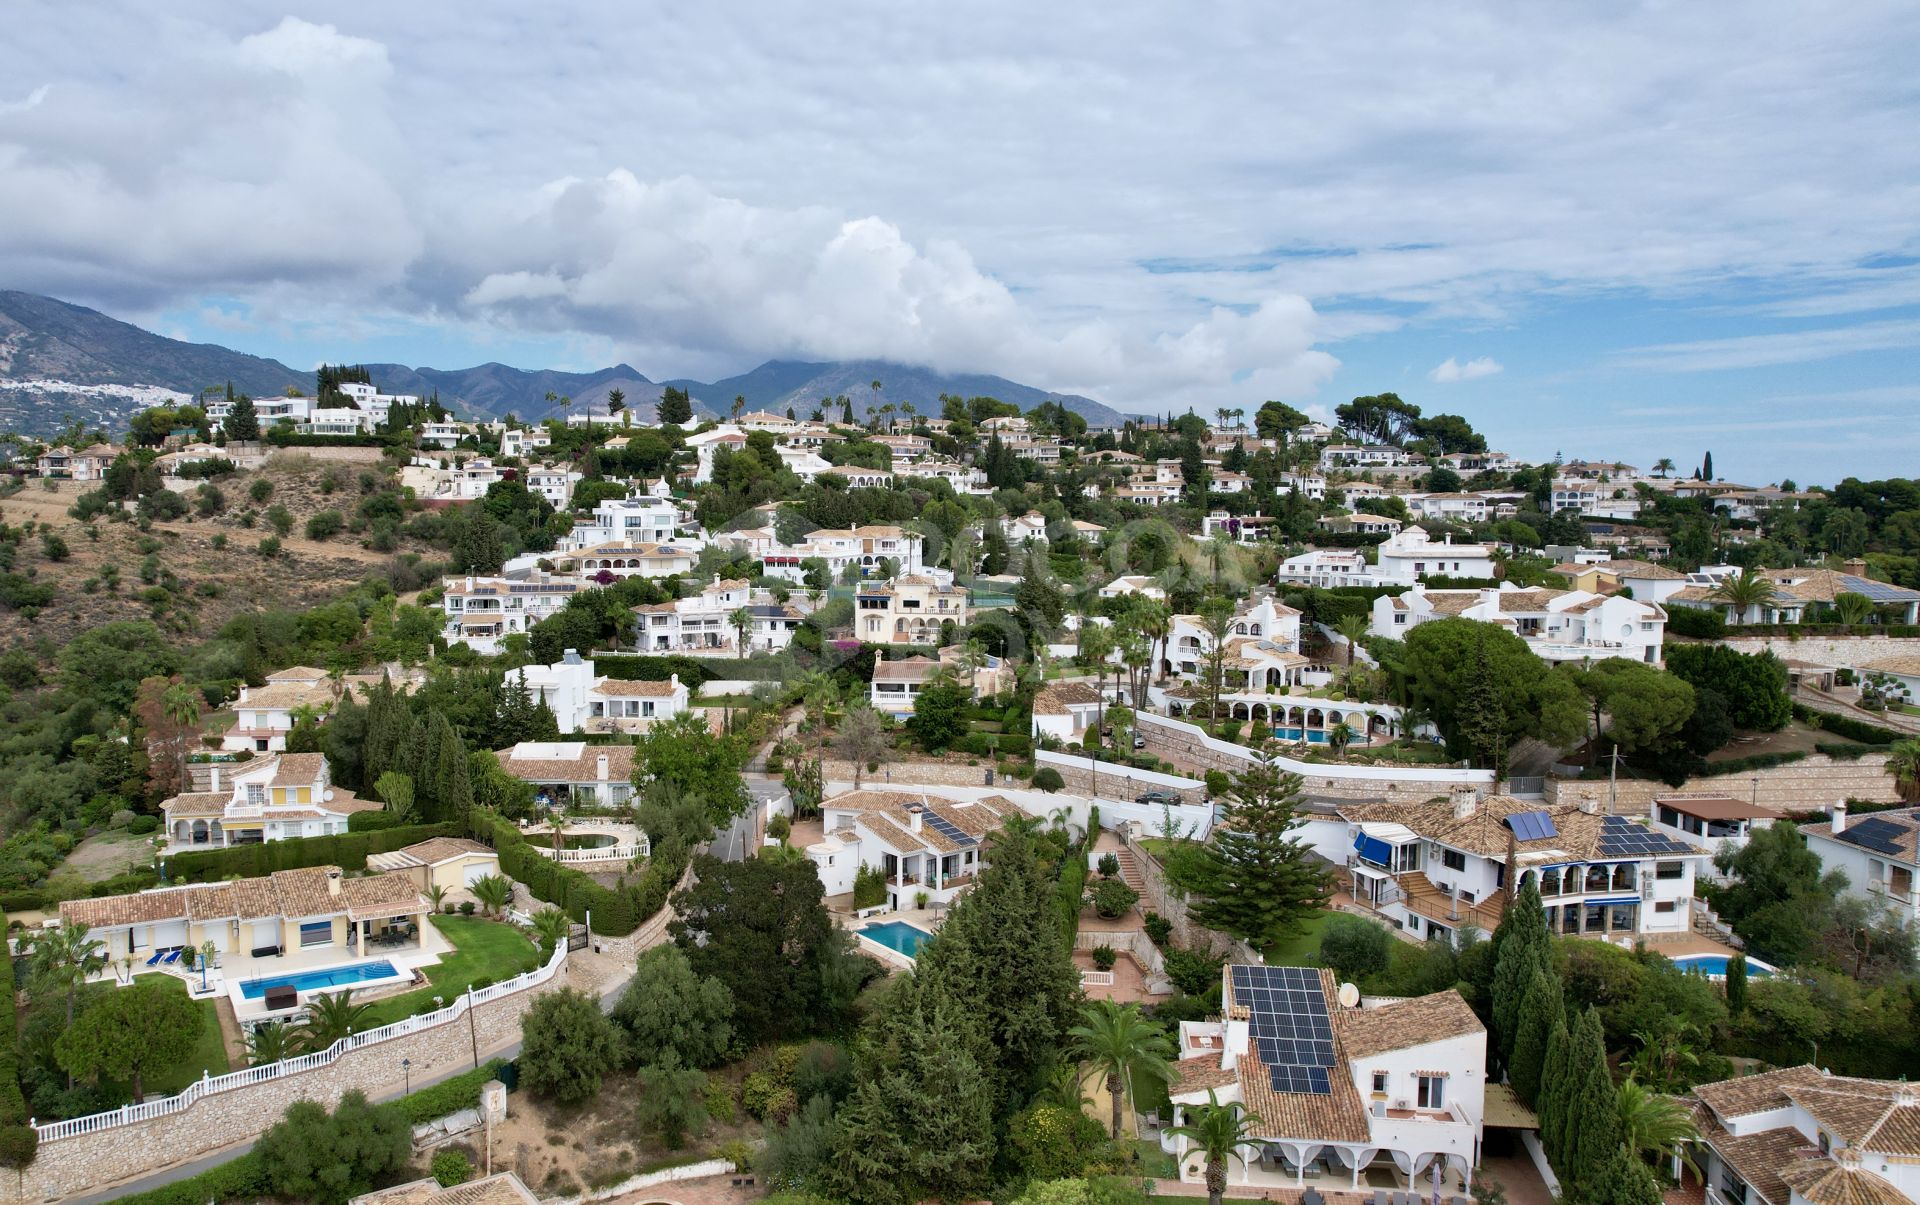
[1435, 868]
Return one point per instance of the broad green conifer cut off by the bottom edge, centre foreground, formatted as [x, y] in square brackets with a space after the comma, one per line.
[921, 1123]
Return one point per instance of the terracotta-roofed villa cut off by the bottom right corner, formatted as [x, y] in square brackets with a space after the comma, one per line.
[1804, 1137]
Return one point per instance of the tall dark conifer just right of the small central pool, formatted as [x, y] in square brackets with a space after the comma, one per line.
[1005, 962]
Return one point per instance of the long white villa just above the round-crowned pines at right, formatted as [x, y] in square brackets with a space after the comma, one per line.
[1558, 625]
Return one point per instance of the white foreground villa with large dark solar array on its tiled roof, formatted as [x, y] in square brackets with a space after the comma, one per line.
[1343, 1093]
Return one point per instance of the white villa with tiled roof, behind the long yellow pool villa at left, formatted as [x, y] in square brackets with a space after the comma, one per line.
[268, 799]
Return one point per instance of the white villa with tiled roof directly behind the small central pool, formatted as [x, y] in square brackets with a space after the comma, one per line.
[923, 845]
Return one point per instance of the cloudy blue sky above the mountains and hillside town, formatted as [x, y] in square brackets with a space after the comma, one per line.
[1608, 231]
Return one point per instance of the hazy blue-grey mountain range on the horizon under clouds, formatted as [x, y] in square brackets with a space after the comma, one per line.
[60, 362]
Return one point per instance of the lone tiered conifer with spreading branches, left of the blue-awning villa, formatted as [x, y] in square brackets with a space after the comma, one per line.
[1255, 882]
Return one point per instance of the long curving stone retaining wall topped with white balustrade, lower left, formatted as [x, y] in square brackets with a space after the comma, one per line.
[97, 1162]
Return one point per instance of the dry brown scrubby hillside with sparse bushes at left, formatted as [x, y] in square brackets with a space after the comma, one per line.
[197, 584]
